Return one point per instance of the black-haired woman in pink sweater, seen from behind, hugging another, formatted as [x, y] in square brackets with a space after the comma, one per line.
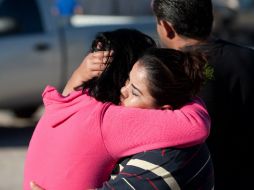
[78, 140]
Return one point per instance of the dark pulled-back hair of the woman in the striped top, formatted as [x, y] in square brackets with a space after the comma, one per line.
[174, 76]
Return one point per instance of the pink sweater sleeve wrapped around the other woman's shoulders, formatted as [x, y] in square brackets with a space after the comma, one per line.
[127, 131]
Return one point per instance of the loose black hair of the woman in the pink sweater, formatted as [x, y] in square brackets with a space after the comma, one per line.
[127, 45]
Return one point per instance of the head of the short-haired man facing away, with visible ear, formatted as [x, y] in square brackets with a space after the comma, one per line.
[192, 19]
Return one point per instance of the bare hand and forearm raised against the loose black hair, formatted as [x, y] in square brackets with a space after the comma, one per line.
[92, 66]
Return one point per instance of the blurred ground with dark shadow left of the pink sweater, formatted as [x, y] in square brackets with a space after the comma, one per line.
[15, 134]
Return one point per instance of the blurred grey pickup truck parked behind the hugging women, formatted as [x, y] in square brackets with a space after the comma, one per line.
[38, 48]
